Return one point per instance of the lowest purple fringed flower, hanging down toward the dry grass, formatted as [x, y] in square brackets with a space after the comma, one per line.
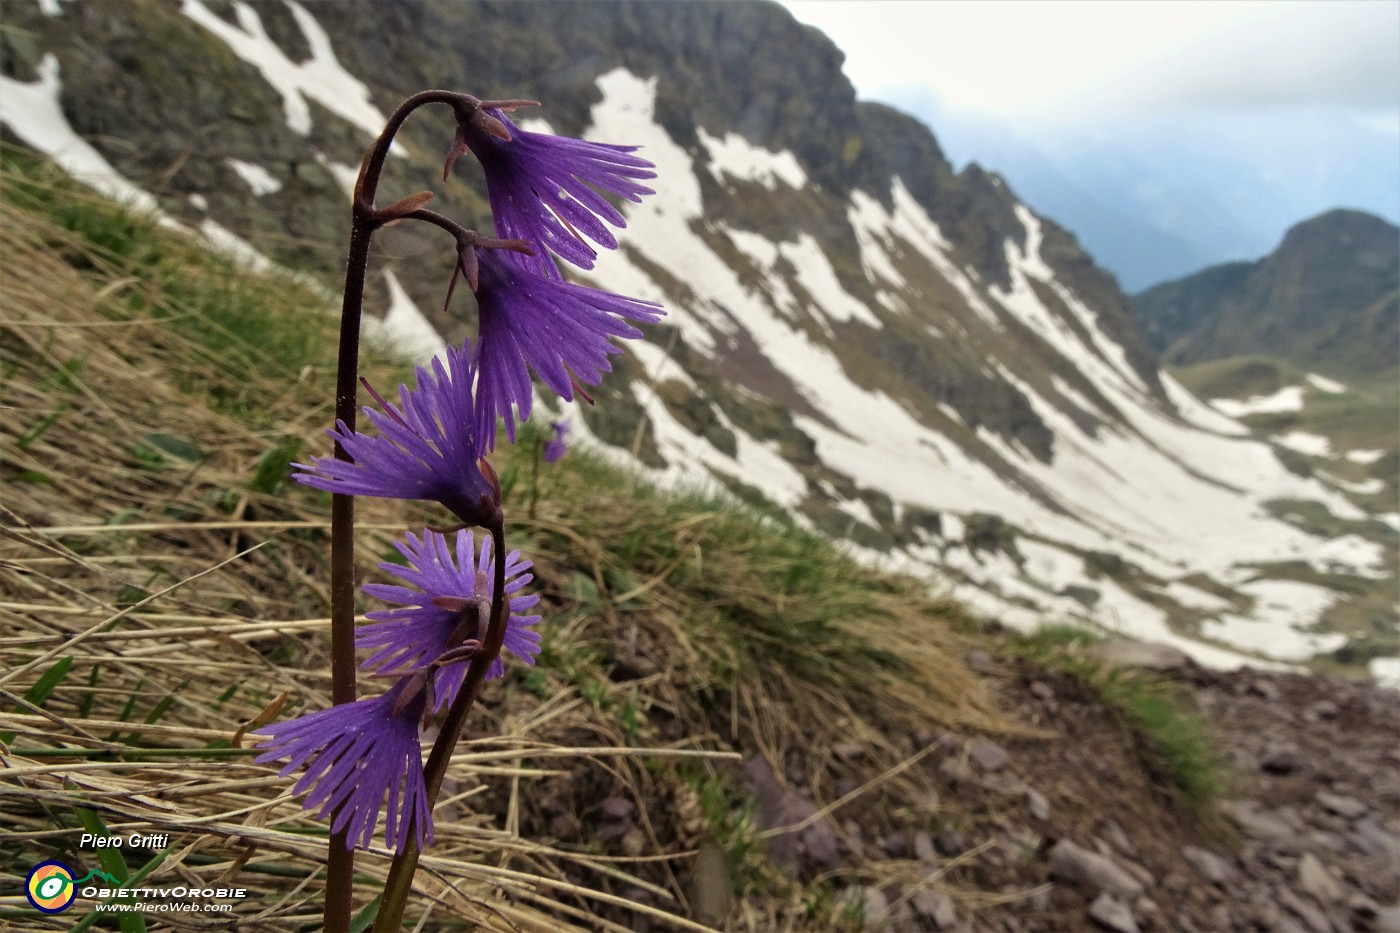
[355, 756]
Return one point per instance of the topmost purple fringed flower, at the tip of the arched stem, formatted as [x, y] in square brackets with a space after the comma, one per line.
[541, 187]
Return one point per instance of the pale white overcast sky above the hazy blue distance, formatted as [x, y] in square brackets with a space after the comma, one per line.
[1070, 62]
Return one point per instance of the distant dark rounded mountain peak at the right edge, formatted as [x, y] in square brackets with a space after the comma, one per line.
[1329, 295]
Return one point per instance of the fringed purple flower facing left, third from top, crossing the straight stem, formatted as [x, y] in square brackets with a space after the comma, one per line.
[426, 449]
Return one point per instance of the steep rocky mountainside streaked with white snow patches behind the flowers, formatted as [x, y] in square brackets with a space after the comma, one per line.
[902, 357]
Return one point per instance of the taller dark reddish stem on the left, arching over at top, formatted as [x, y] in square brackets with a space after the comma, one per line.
[365, 221]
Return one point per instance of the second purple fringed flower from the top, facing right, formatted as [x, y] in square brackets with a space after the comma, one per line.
[561, 330]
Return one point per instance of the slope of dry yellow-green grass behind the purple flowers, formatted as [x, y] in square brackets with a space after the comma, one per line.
[163, 585]
